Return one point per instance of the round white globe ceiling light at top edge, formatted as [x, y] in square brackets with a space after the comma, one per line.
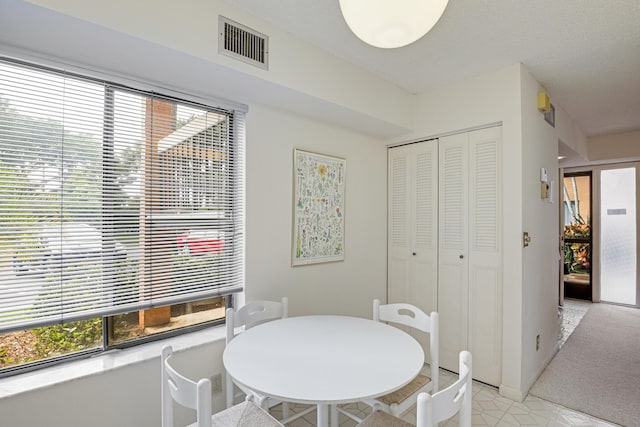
[391, 23]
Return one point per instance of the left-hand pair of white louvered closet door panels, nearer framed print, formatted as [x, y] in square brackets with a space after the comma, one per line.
[413, 232]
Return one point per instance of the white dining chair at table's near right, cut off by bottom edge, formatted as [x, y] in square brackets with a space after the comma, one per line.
[436, 407]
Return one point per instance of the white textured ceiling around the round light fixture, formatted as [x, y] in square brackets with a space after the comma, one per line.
[585, 53]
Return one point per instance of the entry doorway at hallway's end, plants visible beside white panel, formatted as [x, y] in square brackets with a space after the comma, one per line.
[600, 232]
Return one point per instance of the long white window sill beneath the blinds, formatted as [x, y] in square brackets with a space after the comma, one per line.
[104, 362]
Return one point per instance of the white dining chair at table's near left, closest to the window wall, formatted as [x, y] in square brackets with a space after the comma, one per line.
[197, 395]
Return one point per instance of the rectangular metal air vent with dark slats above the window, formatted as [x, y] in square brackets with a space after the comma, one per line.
[243, 43]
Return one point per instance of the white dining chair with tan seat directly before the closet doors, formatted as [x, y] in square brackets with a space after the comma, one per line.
[409, 315]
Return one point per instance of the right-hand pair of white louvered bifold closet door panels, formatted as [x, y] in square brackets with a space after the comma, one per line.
[469, 282]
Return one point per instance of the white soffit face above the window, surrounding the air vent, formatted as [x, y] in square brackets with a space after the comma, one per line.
[191, 28]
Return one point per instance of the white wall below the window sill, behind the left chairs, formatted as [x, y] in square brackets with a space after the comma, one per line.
[126, 396]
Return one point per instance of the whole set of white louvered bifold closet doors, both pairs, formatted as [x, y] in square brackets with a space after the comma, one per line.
[444, 242]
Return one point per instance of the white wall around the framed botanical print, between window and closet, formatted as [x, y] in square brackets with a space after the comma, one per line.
[341, 287]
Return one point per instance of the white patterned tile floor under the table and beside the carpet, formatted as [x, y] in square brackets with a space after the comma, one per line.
[491, 409]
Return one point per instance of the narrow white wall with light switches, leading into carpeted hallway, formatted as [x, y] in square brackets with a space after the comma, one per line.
[540, 261]
